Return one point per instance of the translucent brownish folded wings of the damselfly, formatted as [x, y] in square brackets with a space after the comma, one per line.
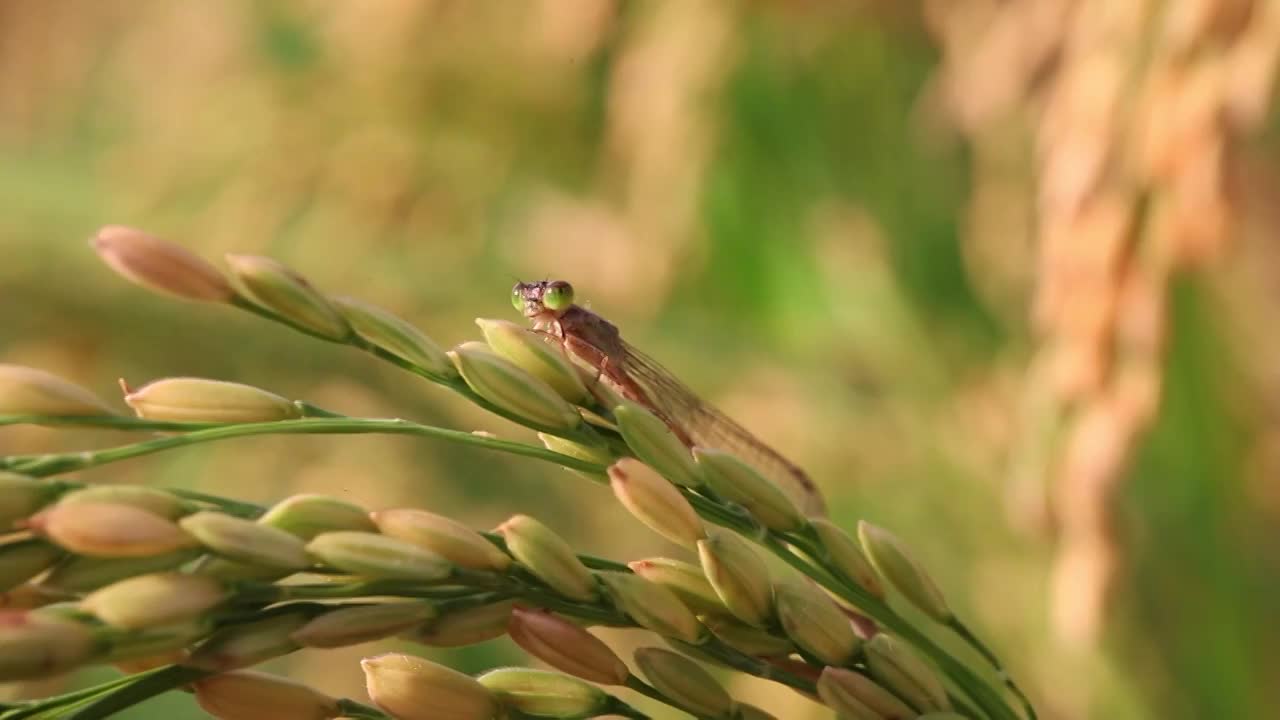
[708, 427]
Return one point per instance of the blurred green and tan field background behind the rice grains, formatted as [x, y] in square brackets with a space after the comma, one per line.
[1000, 275]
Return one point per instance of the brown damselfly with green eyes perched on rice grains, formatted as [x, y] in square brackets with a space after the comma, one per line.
[598, 344]
